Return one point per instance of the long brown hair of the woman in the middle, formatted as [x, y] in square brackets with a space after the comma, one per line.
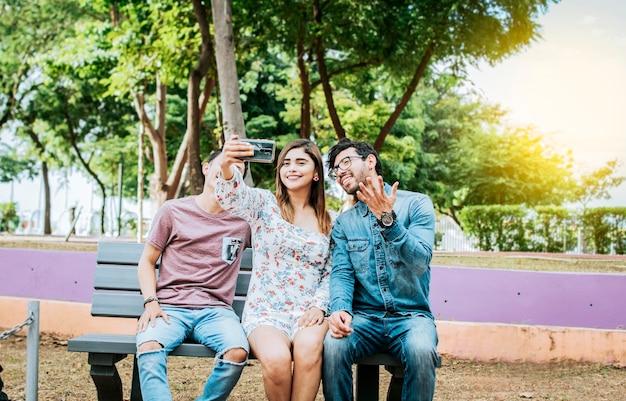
[318, 195]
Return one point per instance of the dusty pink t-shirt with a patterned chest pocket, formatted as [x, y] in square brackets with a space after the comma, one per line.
[201, 254]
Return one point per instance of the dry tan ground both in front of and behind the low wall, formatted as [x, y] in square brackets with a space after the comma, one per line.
[64, 376]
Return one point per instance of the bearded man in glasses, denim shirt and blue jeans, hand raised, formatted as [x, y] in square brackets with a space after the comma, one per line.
[380, 277]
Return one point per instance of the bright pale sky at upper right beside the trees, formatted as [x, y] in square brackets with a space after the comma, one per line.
[571, 84]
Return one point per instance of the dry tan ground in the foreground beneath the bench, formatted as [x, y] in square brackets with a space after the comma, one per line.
[64, 376]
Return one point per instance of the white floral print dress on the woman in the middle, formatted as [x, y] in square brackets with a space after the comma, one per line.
[291, 265]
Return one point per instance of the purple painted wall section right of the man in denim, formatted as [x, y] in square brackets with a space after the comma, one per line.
[529, 297]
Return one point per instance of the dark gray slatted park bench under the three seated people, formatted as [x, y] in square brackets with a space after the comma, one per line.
[117, 294]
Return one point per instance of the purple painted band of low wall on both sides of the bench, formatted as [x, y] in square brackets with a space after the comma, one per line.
[457, 294]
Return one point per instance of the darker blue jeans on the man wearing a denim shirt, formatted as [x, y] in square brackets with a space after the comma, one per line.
[411, 339]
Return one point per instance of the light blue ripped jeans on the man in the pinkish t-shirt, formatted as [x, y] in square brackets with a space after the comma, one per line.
[216, 327]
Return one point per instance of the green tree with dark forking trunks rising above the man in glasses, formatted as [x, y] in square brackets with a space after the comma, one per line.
[336, 43]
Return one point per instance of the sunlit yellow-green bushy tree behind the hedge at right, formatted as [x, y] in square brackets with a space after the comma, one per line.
[452, 145]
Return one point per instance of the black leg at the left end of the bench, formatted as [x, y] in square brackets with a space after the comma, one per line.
[105, 376]
